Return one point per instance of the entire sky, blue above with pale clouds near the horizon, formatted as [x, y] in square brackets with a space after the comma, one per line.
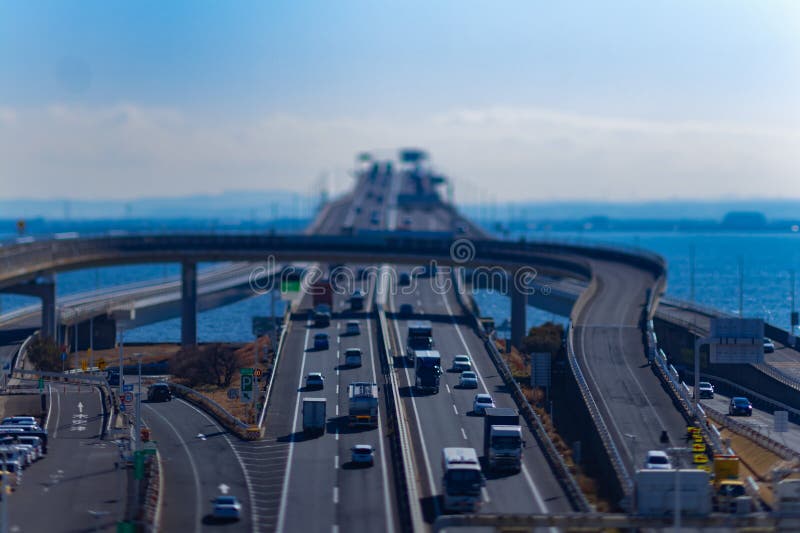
[554, 99]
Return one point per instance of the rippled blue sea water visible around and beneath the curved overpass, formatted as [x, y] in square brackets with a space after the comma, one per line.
[768, 260]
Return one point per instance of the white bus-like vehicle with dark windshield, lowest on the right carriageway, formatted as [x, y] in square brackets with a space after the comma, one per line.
[462, 479]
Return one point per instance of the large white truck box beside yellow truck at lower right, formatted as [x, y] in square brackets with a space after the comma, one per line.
[655, 492]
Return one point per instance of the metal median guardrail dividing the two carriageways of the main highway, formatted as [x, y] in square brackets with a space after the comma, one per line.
[406, 468]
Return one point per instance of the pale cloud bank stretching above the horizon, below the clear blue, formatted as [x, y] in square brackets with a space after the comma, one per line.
[128, 150]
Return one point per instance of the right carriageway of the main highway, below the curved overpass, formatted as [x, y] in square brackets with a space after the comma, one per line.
[446, 419]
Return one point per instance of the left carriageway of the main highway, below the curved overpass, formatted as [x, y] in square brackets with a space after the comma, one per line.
[318, 469]
